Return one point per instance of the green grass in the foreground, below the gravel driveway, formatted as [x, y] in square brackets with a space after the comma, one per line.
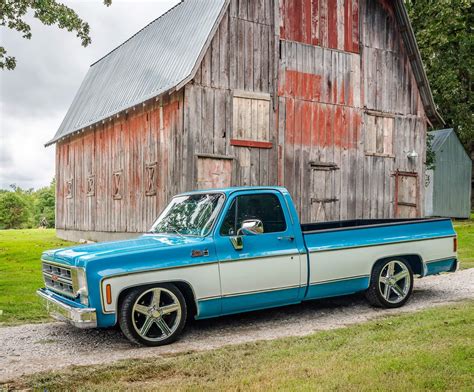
[429, 350]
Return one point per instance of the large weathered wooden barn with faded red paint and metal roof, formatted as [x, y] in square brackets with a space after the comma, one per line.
[326, 97]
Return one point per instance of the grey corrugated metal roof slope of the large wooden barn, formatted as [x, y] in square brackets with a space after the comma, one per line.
[153, 61]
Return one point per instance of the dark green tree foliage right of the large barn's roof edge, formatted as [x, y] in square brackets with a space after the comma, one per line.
[444, 32]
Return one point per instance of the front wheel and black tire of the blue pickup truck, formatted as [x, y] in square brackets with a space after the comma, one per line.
[135, 312]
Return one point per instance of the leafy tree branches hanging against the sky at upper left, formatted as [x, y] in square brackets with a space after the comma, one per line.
[49, 12]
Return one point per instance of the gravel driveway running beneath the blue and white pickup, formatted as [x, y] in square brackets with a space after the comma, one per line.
[33, 348]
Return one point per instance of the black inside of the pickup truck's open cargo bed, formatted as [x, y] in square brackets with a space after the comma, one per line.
[308, 228]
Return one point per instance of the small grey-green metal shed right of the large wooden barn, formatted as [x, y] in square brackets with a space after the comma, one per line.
[448, 185]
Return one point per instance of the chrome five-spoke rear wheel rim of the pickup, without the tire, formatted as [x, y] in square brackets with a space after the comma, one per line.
[394, 282]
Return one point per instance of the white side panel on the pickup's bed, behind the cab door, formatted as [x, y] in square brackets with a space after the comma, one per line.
[344, 263]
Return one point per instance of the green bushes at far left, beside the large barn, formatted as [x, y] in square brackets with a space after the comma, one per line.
[34, 208]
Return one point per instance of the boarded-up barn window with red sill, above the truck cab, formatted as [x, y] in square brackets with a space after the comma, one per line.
[251, 120]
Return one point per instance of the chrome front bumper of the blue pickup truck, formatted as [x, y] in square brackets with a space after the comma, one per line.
[78, 316]
